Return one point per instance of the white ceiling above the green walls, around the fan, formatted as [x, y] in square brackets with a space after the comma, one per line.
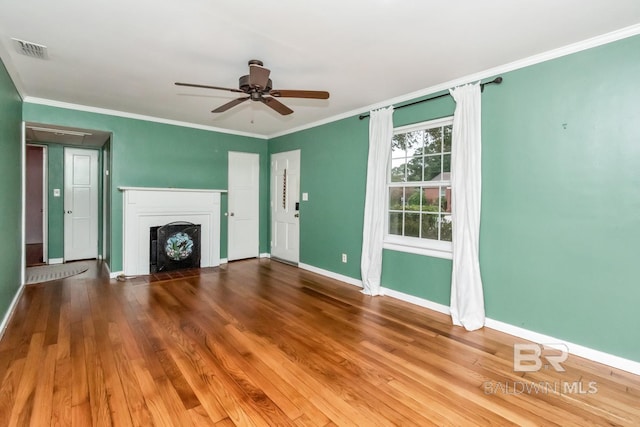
[125, 55]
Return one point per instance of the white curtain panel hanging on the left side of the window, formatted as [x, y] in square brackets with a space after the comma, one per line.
[380, 136]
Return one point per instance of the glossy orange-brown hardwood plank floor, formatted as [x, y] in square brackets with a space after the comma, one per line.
[262, 343]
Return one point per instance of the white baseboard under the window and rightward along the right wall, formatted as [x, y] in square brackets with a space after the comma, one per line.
[575, 349]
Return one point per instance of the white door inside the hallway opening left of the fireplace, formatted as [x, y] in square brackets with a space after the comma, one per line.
[80, 204]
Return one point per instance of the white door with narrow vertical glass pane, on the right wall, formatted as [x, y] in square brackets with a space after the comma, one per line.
[285, 199]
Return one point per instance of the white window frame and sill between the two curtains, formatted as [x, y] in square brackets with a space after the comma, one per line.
[415, 245]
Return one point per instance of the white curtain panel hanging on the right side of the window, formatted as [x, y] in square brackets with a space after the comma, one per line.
[467, 298]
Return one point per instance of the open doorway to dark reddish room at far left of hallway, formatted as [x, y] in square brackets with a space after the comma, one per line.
[35, 205]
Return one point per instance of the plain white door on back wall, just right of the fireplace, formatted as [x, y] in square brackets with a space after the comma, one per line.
[243, 211]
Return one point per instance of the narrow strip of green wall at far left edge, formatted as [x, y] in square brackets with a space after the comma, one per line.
[10, 191]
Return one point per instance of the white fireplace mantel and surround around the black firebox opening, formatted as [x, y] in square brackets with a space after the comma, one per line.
[145, 207]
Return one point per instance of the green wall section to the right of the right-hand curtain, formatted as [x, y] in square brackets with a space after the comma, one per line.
[560, 223]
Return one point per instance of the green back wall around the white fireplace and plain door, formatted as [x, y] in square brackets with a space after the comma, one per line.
[150, 154]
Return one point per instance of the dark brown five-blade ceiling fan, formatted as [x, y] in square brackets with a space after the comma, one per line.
[258, 86]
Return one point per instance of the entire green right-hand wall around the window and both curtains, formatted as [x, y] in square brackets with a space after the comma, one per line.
[561, 196]
